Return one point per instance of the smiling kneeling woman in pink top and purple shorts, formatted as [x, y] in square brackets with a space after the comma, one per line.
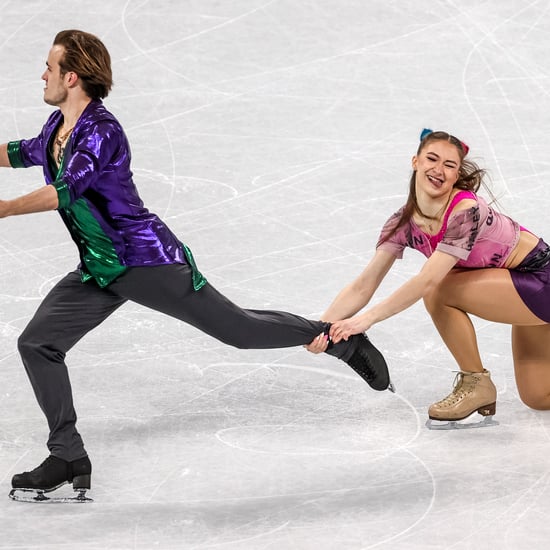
[479, 262]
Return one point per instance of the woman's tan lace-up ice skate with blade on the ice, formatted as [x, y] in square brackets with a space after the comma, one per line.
[472, 391]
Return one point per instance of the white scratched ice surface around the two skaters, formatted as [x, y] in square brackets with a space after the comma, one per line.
[275, 137]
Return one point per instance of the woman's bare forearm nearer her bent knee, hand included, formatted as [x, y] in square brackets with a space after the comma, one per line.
[431, 274]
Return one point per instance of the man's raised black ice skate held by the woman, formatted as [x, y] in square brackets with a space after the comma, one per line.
[361, 355]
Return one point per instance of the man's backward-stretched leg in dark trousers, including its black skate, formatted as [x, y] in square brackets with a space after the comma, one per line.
[168, 289]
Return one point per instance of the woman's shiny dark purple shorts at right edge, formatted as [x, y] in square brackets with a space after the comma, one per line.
[532, 280]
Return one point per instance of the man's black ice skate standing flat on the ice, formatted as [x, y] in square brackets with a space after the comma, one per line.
[49, 476]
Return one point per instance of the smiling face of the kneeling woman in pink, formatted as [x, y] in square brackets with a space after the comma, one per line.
[437, 167]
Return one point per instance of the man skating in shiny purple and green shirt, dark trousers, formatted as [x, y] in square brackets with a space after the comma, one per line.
[126, 253]
